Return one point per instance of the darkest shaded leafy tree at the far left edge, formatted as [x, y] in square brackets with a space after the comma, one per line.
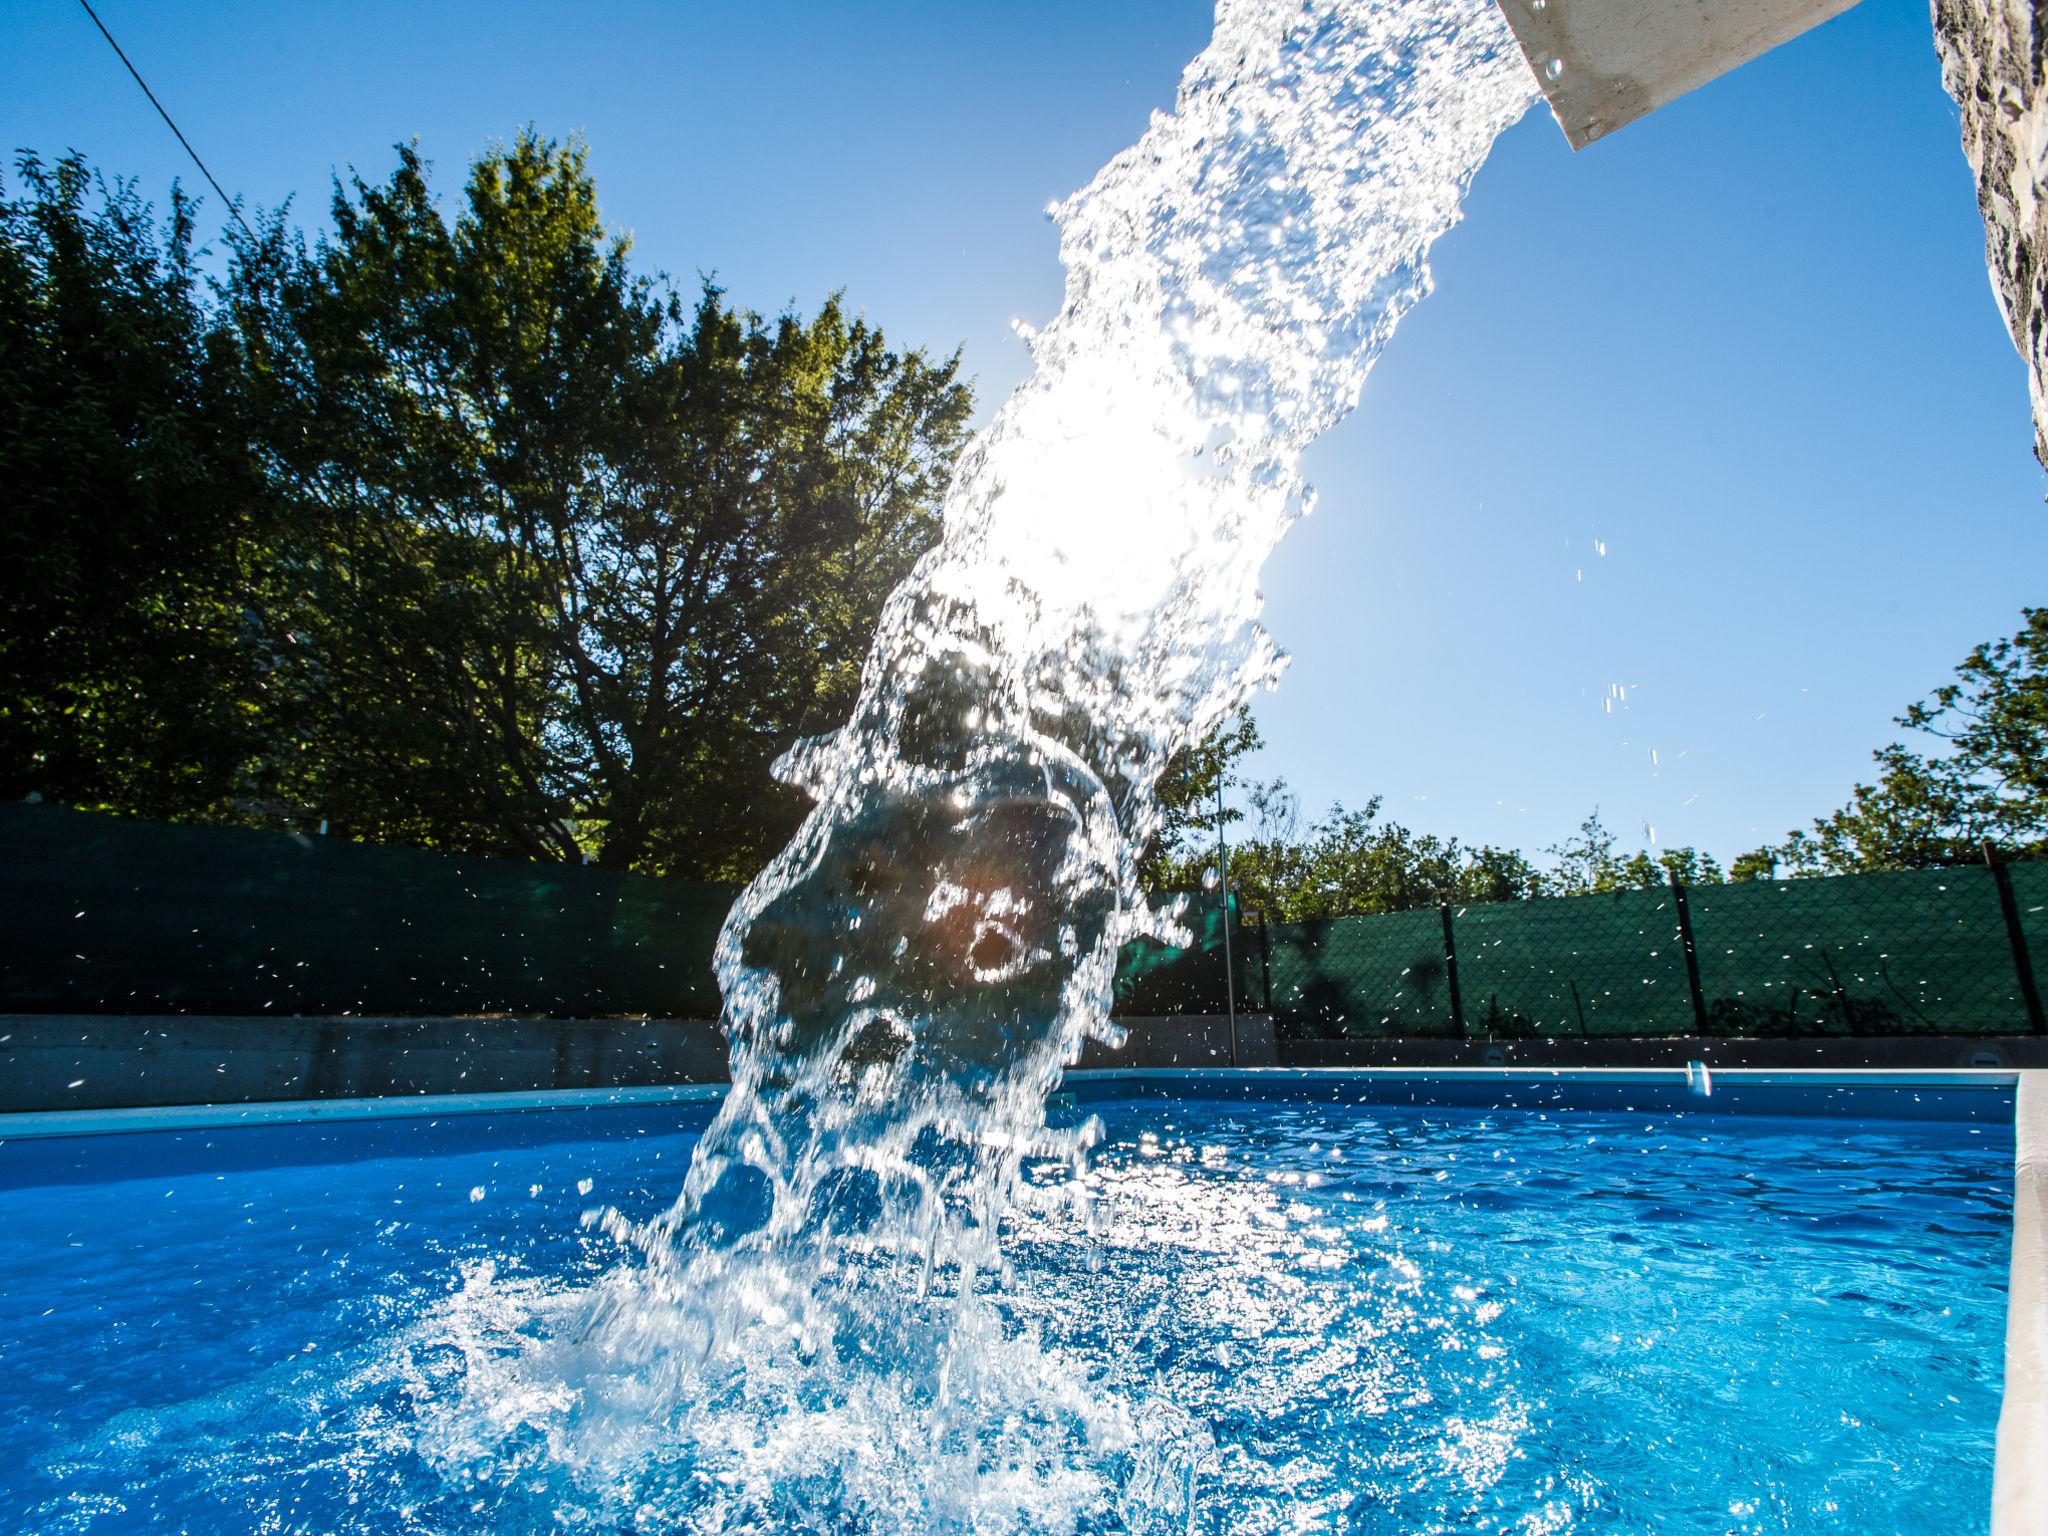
[134, 531]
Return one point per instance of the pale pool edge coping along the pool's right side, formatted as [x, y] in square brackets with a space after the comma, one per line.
[2020, 1465]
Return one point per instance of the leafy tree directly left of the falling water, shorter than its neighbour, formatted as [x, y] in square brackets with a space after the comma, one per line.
[722, 603]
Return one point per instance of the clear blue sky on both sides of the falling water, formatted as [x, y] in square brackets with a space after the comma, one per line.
[1746, 347]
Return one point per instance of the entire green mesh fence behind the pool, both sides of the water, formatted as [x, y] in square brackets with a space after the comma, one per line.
[103, 914]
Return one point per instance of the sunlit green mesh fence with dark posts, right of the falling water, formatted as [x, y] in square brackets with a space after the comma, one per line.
[1900, 953]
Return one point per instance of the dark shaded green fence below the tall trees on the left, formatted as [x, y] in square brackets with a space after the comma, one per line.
[103, 914]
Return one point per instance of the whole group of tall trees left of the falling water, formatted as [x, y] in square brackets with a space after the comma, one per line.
[443, 529]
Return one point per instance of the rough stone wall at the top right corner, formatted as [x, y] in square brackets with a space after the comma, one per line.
[1992, 65]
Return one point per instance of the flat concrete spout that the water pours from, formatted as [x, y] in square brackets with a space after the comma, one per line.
[1603, 65]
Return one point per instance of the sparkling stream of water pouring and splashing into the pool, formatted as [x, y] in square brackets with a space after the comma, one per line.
[814, 1338]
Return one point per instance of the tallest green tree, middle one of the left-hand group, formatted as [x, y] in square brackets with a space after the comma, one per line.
[441, 394]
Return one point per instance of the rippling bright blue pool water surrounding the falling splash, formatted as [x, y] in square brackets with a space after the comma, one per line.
[1367, 1318]
